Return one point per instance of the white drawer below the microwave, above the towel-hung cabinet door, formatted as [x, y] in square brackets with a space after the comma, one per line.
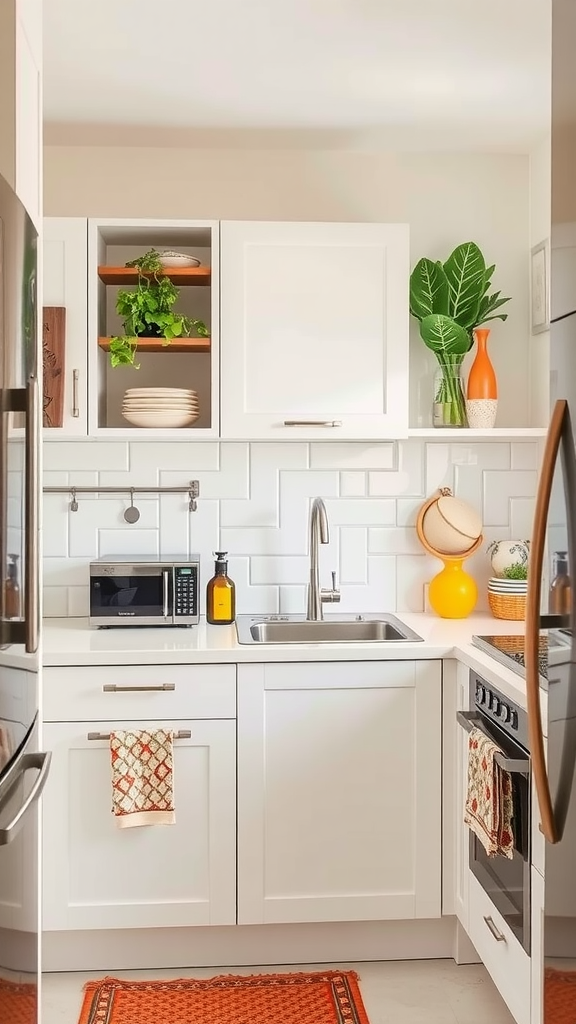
[195, 692]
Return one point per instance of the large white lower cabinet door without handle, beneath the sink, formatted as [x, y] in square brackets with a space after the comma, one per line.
[339, 792]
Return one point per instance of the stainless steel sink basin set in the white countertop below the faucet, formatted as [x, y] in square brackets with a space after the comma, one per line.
[337, 629]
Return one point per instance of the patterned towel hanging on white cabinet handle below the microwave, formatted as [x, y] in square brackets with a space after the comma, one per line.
[143, 788]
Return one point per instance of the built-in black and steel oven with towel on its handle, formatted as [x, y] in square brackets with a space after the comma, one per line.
[506, 881]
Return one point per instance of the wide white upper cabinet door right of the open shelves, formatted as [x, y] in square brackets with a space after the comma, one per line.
[314, 330]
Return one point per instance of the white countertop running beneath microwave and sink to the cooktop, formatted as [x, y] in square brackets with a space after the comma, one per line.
[73, 643]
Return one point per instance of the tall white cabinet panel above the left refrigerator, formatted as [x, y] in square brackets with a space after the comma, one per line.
[21, 101]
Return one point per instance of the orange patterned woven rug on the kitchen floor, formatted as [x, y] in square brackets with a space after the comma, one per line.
[321, 998]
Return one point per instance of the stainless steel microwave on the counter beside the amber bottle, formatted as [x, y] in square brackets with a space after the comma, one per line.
[145, 591]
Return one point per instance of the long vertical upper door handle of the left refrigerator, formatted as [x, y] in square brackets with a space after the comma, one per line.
[32, 596]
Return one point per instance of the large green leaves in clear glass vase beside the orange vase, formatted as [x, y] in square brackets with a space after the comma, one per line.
[450, 302]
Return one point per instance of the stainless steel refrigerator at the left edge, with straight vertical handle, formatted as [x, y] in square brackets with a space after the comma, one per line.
[23, 767]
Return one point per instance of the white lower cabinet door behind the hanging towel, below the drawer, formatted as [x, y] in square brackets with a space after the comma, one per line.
[99, 876]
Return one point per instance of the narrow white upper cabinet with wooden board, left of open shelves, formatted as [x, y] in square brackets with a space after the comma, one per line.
[65, 327]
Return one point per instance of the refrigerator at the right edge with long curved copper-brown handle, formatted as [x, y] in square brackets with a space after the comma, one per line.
[552, 595]
